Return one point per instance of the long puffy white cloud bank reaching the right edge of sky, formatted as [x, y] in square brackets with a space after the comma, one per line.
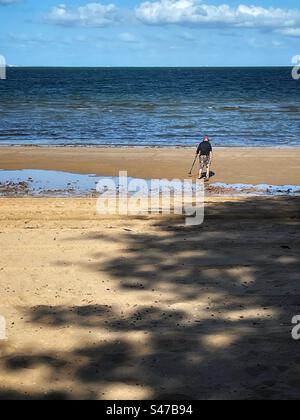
[198, 13]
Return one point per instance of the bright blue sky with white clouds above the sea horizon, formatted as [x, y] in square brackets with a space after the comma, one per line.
[149, 33]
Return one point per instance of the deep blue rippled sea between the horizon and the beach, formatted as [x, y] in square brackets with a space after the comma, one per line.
[149, 106]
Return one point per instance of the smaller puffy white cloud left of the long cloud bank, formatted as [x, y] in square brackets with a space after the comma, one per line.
[92, 14]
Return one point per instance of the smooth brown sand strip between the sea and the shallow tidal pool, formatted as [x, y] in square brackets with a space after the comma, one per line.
[231, 165]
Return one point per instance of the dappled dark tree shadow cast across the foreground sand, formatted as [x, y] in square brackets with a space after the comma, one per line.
[219, 323]
